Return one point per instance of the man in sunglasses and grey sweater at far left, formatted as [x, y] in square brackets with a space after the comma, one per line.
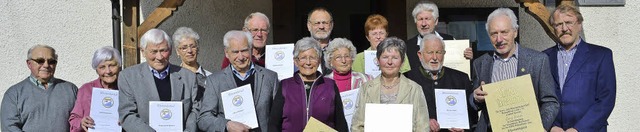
[40, 101]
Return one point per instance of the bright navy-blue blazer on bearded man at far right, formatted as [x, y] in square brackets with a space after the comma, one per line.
[589, 92]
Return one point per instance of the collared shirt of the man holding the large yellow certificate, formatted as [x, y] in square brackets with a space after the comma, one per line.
[505, 68]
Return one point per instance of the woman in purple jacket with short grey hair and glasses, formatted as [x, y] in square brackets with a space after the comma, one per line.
[307, 94]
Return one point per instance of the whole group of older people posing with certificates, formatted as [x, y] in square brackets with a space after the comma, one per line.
[574, 81]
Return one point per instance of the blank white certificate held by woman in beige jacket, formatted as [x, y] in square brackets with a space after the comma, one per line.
[388, 118]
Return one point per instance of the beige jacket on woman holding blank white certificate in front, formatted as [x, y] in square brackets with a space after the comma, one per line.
[409, 93]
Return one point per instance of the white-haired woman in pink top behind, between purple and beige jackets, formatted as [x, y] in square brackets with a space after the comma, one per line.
[339, 56]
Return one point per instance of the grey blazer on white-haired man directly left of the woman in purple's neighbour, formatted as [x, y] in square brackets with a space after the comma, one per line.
[137, 88]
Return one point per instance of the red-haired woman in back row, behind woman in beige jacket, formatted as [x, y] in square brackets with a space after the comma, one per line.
[375, 29]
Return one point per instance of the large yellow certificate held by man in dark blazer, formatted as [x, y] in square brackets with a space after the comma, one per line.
[512, 105]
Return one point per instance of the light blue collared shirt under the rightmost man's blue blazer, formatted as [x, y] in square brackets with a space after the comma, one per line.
[564, 62]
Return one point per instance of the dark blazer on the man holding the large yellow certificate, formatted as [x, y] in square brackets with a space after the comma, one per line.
[529, 62]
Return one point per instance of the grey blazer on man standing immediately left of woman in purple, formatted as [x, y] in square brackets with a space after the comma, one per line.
[212, 116]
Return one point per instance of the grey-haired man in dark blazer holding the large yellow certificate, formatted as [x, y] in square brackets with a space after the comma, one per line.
[508, 61]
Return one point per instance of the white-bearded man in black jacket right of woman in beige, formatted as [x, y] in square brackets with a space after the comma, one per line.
[433, 75]
